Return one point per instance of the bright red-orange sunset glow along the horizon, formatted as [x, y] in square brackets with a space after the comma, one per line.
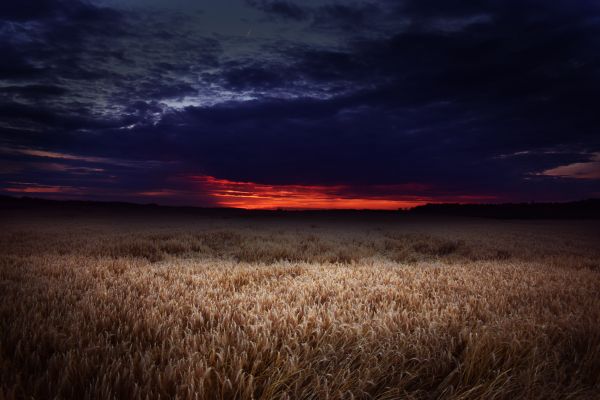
[205, 190]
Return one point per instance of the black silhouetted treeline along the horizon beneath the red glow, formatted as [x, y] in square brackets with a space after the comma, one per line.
[584, 209]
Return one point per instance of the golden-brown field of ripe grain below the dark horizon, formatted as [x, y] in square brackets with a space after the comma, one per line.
[283, 306]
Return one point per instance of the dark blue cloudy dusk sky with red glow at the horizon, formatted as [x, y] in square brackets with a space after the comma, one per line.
[300, 104]
